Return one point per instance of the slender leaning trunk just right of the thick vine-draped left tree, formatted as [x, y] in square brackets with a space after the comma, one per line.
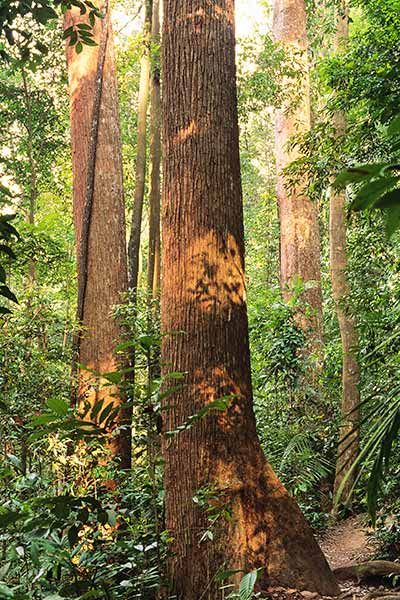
[140, 170]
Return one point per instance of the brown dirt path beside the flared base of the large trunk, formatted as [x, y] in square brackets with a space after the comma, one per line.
[348, 542]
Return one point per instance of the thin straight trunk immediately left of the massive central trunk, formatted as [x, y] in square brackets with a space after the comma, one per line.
[153, 271]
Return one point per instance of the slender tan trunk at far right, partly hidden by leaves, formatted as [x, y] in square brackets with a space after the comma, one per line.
[349, 430]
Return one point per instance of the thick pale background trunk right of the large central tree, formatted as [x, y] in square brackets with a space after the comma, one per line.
[298, 215]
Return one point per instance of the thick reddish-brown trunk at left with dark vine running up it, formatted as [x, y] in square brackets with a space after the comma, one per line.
[98, 216]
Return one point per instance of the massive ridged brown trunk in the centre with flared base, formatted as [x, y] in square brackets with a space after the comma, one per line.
[204, 309]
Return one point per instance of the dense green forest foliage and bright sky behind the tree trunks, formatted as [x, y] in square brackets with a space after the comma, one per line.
[59, 536]
